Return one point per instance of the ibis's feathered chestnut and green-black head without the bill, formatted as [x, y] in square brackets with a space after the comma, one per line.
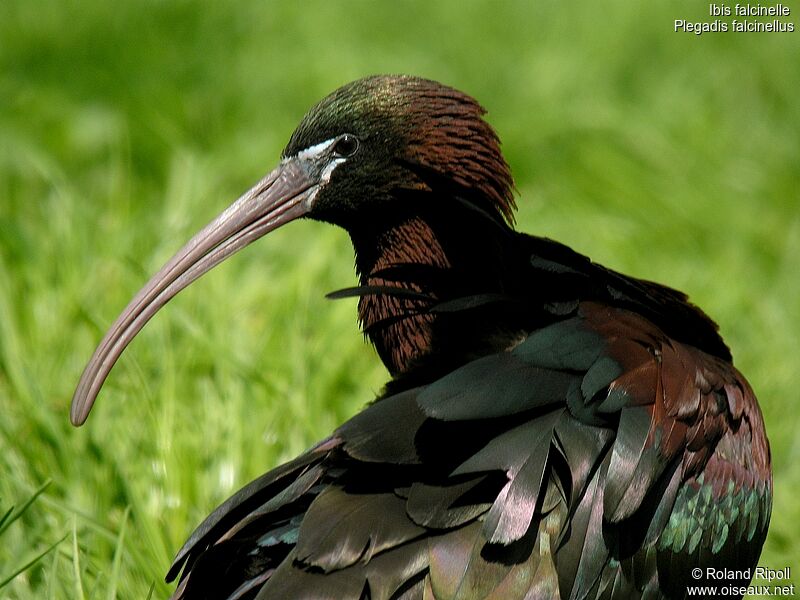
[379, 137]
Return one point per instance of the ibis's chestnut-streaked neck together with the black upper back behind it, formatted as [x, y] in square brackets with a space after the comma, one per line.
[453, 257]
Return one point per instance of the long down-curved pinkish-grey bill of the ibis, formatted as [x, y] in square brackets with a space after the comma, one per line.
[282, 196]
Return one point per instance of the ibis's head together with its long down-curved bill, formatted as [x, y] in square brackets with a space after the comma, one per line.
[357, 155]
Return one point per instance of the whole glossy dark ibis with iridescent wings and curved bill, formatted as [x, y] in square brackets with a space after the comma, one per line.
[551, 428]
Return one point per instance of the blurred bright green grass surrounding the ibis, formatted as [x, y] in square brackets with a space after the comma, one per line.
[125, 126]
